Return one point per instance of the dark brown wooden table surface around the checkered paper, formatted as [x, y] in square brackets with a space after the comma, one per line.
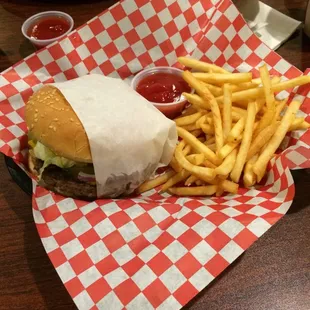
[273, 274]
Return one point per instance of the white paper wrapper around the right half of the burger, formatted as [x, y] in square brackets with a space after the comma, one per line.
[128, 136]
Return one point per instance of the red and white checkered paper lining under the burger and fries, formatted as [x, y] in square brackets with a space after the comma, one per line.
[153, 251]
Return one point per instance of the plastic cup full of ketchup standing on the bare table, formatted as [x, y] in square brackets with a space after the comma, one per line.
[46, 27]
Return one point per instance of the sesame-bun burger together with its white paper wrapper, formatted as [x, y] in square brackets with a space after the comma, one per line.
[95, 137]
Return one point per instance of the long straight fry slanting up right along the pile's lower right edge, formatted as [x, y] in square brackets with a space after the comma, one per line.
[260, 165]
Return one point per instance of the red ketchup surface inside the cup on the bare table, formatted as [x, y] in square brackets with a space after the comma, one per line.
[48, 28]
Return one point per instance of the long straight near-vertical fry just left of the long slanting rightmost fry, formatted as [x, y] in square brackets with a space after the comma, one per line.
[245, 143]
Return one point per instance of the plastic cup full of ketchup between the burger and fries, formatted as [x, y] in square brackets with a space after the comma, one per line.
[163, 86]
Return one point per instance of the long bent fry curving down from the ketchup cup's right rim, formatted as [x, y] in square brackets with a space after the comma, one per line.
[208, 97]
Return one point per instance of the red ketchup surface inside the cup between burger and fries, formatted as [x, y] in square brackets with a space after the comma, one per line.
[162, 87]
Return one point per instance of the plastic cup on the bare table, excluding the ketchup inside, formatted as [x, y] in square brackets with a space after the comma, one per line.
[37, 17]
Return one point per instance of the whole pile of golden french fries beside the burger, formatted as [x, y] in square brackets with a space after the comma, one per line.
[230, 132]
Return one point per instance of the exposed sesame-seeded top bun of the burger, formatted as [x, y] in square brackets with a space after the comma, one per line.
[52, 121]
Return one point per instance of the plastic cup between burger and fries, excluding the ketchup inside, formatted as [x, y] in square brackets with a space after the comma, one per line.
[173, 109]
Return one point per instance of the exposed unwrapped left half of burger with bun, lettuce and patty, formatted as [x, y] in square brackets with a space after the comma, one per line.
[59, 151]
